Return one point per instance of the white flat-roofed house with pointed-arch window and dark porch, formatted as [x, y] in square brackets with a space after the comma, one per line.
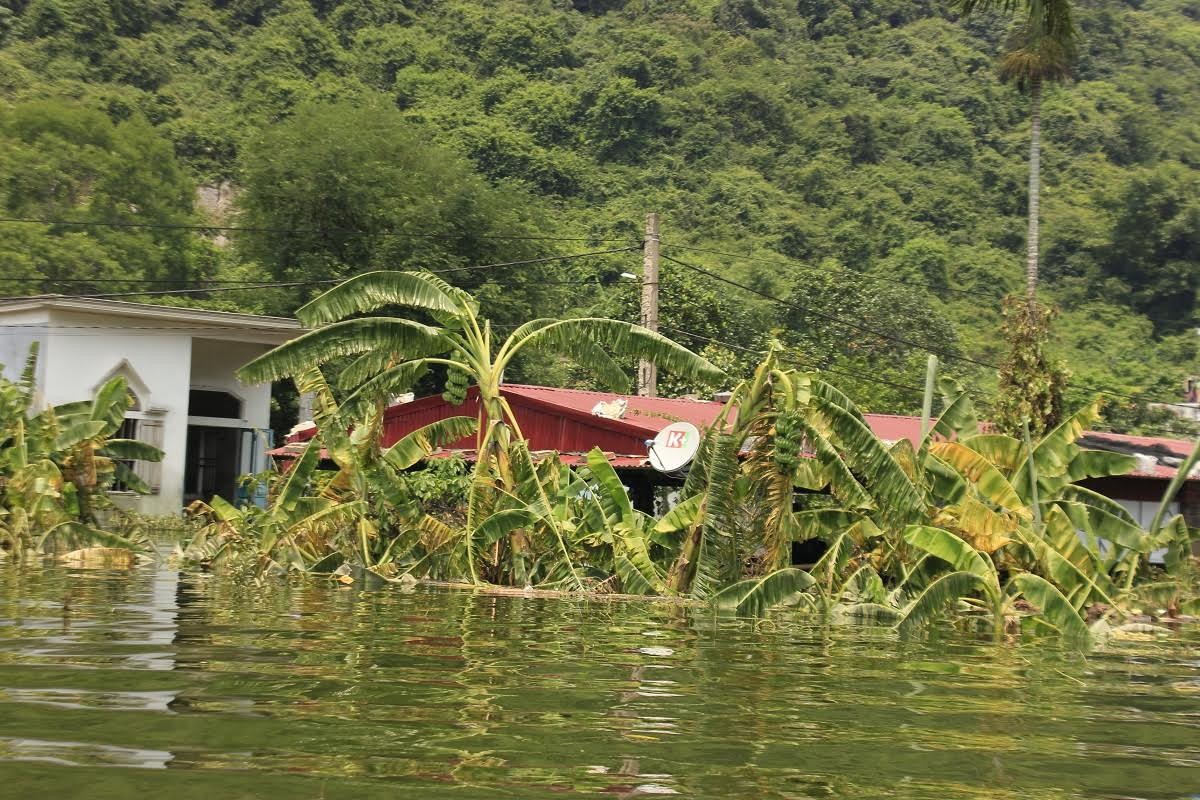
[179, 364]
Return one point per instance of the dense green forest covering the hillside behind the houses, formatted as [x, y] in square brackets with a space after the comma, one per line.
[856, 167]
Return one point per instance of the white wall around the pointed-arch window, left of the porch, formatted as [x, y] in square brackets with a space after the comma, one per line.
[79, 360]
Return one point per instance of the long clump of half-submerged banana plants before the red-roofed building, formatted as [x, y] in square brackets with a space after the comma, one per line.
[969, 520]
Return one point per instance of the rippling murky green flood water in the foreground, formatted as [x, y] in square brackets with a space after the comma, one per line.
[149, 683]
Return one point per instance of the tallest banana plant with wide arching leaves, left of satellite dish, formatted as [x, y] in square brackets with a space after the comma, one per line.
[394, 352]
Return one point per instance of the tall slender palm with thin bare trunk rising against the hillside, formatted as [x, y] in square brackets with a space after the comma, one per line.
[1041, 49]
